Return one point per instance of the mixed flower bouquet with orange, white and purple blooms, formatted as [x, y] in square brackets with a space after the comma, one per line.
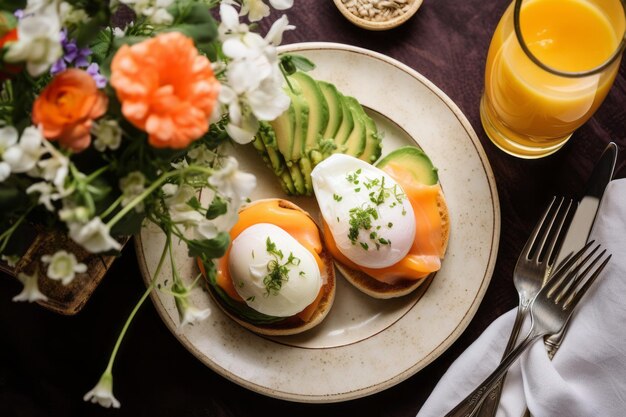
[113, 114]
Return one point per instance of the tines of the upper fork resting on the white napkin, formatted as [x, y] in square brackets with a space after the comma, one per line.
[569, 281]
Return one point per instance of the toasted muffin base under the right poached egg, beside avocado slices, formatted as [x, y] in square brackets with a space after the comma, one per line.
[378, 289]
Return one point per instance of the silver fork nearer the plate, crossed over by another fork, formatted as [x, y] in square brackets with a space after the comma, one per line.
[533, 266]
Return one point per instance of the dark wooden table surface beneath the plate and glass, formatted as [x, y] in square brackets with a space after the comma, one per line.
[48, 362]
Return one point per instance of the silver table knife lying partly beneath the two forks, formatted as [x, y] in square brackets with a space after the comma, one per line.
[581, 224]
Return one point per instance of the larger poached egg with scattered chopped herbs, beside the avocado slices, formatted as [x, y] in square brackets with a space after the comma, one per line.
[367, 212]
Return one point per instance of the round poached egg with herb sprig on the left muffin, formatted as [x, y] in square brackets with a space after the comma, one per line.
[272, 271]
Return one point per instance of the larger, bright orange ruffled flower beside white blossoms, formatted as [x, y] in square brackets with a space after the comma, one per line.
[166, 89]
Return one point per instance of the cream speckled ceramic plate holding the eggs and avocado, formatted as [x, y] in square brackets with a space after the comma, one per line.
[364, 345]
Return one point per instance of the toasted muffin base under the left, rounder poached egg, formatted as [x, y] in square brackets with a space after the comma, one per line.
[290, 325]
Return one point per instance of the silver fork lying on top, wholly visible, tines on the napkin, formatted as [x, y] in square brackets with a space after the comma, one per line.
[549, 310]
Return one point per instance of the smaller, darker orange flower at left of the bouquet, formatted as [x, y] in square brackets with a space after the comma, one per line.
[66, 108]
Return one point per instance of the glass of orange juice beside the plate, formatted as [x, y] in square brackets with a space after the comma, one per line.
[550, 65]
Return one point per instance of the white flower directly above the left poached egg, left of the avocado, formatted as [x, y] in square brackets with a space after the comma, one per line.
[232, 183]
